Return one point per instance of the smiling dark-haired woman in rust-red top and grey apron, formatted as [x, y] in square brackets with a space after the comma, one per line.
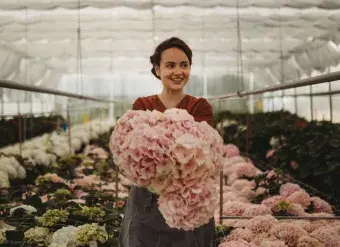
[143, 224]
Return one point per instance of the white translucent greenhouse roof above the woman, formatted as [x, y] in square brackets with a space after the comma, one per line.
[39, 38]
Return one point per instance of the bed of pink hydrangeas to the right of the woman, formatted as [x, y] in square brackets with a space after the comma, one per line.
[260, 197]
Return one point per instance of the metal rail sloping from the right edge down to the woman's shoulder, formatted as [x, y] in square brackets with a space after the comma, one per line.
[335, 76]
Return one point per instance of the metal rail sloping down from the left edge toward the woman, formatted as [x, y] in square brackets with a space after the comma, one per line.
[36, 89]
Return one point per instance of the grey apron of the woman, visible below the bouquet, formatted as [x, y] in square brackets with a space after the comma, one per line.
[144, 226]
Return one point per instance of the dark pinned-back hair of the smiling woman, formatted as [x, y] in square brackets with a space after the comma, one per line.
[155, 59]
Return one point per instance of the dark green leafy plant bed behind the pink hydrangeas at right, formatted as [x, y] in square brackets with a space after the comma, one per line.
[306, 150]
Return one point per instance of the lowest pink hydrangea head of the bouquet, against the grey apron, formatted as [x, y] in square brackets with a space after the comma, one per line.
[189, 208]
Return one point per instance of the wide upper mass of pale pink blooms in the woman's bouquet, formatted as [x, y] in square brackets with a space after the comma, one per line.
[153, 148]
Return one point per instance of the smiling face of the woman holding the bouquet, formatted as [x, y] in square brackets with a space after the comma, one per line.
[174, 69]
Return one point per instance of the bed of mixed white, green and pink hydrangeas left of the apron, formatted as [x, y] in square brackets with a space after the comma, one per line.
[73, 203]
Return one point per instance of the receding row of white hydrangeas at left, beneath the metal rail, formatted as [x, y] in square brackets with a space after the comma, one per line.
[40, 153]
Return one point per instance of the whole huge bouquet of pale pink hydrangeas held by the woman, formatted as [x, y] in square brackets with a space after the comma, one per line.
[173, 156]
